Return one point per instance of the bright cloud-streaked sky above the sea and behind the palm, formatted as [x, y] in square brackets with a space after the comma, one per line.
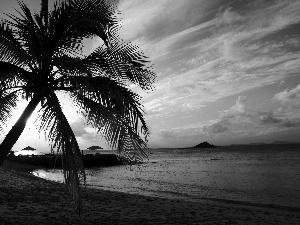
[228, 72]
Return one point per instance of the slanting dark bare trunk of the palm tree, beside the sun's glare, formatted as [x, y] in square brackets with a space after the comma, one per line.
[16, 131]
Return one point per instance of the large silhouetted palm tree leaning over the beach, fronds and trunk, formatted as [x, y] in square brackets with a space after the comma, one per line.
[41, 55]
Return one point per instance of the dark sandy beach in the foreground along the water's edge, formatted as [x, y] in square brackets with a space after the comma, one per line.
[25, 199]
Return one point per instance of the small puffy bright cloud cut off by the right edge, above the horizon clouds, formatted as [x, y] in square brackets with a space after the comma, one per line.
[289, 98]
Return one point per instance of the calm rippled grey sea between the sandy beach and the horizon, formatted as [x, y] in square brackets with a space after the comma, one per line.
[256, 174]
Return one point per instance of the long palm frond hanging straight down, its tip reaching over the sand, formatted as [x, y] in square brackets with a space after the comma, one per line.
[62, 138]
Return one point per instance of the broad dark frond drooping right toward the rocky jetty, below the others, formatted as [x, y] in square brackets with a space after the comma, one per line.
[114, 111]
